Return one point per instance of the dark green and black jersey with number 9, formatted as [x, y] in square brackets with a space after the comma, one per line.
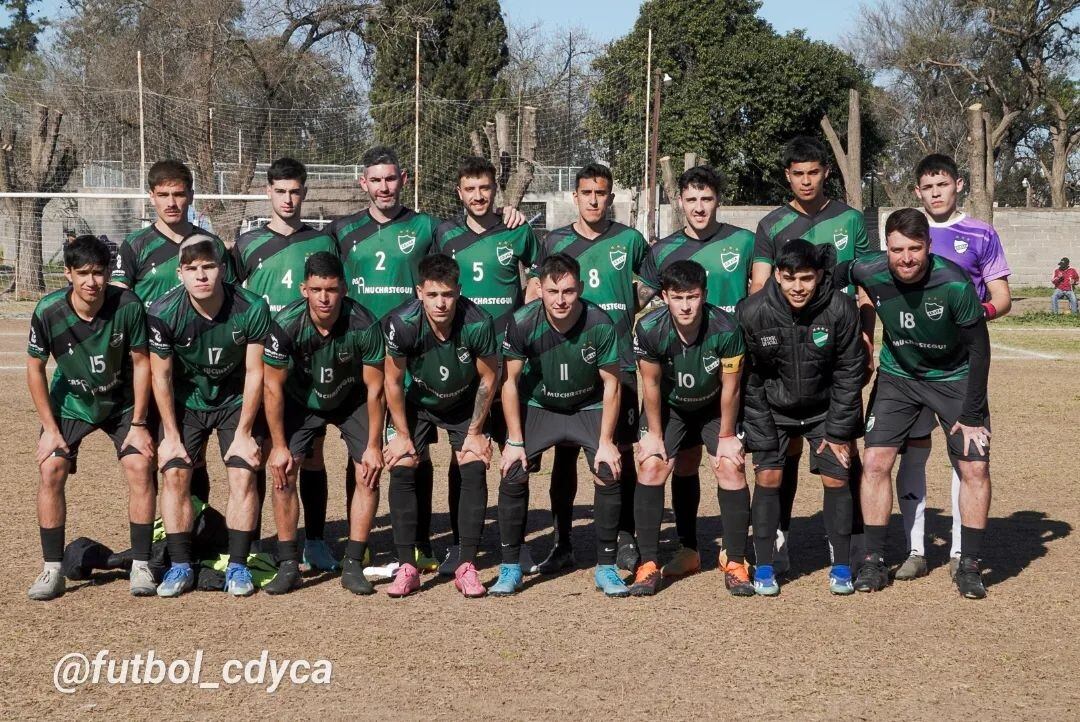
[442, 375]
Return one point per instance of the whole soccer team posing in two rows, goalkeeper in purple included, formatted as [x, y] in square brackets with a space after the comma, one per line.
[718, 352]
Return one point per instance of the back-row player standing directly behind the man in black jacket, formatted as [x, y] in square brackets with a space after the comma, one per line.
[815, 217]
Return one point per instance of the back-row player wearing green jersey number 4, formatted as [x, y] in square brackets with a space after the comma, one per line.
[271, 262]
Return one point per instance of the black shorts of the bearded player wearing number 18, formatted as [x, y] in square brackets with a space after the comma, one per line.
[897, 405]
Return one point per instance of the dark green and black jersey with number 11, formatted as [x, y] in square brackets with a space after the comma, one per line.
[562, 372]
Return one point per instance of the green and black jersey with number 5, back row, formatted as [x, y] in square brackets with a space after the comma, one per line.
[490, 265]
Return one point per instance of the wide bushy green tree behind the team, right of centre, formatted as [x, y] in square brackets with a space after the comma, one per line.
[739, 91]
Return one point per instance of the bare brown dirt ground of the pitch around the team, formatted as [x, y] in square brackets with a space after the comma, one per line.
[560, 649]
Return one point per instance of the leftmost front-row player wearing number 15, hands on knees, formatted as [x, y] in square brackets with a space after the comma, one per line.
[98, 336]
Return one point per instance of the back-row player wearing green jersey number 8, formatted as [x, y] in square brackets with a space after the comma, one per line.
[610, 255]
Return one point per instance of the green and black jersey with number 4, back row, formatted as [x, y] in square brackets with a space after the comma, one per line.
[272, 265]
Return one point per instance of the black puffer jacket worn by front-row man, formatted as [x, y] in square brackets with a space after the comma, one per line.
[803, 366]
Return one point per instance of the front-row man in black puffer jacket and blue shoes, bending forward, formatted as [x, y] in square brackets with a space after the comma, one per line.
[807, 363]
